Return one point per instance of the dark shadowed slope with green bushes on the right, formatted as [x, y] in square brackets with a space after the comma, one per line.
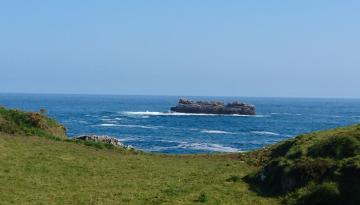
[316, 168]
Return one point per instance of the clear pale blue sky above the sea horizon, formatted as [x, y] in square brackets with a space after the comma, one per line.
[308, 48]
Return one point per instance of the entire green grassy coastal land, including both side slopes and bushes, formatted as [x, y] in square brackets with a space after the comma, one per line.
[40, 165]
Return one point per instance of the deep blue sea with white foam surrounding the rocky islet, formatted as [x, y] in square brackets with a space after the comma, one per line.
[146, 123]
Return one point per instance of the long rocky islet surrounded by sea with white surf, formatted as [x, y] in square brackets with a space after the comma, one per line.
[188, 106]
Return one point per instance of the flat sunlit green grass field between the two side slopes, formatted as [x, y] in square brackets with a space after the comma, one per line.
[38, 170]
